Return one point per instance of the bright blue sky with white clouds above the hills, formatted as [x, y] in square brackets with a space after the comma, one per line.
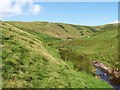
[81, 13]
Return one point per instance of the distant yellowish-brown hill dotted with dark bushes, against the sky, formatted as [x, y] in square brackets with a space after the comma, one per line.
[58, 30]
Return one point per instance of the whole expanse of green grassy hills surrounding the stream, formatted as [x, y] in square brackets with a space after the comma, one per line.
[35, 56]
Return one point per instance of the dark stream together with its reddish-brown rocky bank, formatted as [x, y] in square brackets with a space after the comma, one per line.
[107, 74]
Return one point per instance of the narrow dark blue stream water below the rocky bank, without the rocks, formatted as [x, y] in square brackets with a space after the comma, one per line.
[106, 77]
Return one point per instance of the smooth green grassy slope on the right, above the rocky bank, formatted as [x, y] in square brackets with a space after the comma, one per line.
[101, 46]
